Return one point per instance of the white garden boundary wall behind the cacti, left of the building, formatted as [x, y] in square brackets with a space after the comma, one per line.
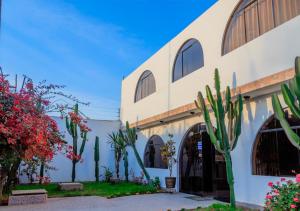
[85, 171]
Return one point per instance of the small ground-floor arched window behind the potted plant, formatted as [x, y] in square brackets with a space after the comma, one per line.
[152, 156]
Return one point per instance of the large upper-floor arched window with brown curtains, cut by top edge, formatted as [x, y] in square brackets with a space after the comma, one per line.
[253, 18]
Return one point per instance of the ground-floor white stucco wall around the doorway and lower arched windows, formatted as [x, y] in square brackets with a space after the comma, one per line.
[249, 188]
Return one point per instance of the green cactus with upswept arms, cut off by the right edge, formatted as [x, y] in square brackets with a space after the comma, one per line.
[291, 96]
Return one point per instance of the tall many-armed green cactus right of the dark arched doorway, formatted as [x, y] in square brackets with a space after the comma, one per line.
[226, 134]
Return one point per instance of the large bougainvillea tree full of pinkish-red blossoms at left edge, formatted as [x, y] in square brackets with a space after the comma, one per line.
[27, 132]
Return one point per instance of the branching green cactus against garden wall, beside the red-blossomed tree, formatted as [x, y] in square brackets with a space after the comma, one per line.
[72, 128]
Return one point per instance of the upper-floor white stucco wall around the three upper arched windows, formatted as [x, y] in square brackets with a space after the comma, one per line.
[272, 52]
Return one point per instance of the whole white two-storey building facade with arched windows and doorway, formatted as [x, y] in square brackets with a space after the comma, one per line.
[254, 44]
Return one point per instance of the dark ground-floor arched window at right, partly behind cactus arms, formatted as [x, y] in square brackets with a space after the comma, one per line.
[273, 153]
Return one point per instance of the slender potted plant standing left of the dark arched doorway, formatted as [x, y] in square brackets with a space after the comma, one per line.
[168, 152]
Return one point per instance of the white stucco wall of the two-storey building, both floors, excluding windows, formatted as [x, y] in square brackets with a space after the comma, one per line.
[270, 53]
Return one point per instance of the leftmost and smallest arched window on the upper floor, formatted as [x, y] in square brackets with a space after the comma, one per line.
[146, 86]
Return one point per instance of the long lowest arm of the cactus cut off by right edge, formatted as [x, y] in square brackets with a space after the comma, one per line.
[279, 114]
